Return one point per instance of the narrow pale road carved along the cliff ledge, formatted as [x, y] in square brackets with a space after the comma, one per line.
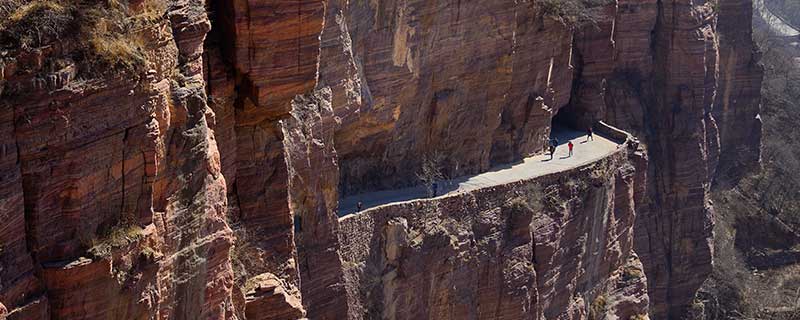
[531, 167]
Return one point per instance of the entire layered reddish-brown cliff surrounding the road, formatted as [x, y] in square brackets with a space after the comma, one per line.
[200, 178]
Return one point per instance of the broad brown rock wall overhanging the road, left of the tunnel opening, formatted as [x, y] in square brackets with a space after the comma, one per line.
[392, 67]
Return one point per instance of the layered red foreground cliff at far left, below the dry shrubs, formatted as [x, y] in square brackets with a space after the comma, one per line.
[112, 182]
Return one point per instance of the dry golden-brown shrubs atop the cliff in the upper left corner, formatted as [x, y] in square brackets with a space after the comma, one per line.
[105, 35]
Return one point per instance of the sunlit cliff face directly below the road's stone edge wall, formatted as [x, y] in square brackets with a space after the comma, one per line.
[556, 247]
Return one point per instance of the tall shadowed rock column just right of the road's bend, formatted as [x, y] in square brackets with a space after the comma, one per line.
[679, 213]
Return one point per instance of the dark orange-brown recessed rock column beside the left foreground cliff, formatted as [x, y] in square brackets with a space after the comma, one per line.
[270, 52]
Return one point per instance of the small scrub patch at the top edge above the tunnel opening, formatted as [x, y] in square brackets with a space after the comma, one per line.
[574, 13]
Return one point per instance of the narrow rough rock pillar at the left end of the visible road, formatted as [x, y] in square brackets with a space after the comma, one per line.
[313, 171]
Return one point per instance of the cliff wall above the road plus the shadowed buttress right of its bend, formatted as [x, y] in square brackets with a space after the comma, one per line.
[681, 75]
